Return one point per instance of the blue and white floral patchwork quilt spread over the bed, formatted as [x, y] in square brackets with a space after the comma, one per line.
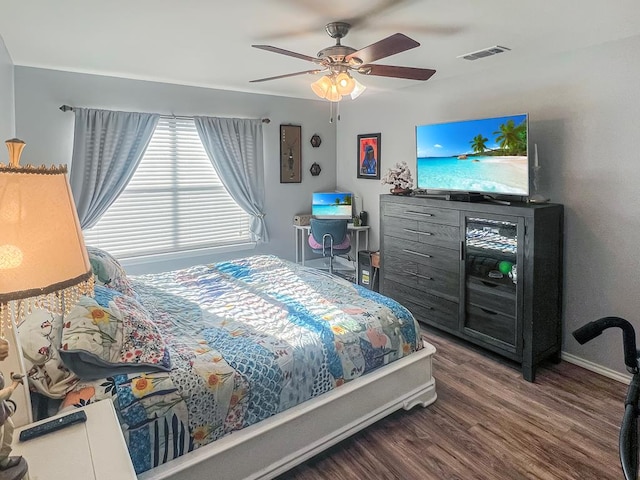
[247, 339]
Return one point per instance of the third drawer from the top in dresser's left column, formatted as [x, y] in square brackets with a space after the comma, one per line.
[421, 253]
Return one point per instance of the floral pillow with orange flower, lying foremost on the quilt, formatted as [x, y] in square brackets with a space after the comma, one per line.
[111, 334]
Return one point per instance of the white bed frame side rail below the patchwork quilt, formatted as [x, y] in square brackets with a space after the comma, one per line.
[279, 443]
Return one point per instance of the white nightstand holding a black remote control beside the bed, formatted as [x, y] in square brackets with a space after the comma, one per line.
[93, 450]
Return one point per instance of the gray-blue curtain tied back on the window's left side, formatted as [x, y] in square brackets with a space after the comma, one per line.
[107, 148]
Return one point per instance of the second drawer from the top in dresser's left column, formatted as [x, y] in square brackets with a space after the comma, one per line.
[423, 232]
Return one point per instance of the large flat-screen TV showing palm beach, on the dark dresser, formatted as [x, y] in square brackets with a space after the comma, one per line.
[486, 155]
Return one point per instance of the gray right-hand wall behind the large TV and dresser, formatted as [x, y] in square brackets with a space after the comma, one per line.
[585, 118]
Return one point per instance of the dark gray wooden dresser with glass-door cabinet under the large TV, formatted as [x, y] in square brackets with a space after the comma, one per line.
[490, 274]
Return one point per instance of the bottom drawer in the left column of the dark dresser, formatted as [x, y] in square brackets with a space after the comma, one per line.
[425, 307]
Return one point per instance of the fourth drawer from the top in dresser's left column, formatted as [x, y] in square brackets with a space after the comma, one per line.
[422, 277]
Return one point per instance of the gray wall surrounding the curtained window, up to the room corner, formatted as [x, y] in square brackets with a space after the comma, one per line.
[49, 135]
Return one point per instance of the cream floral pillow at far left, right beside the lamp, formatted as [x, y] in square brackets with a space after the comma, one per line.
[40, 338]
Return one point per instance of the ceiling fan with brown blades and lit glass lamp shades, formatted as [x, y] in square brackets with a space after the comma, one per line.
[339, 60]
